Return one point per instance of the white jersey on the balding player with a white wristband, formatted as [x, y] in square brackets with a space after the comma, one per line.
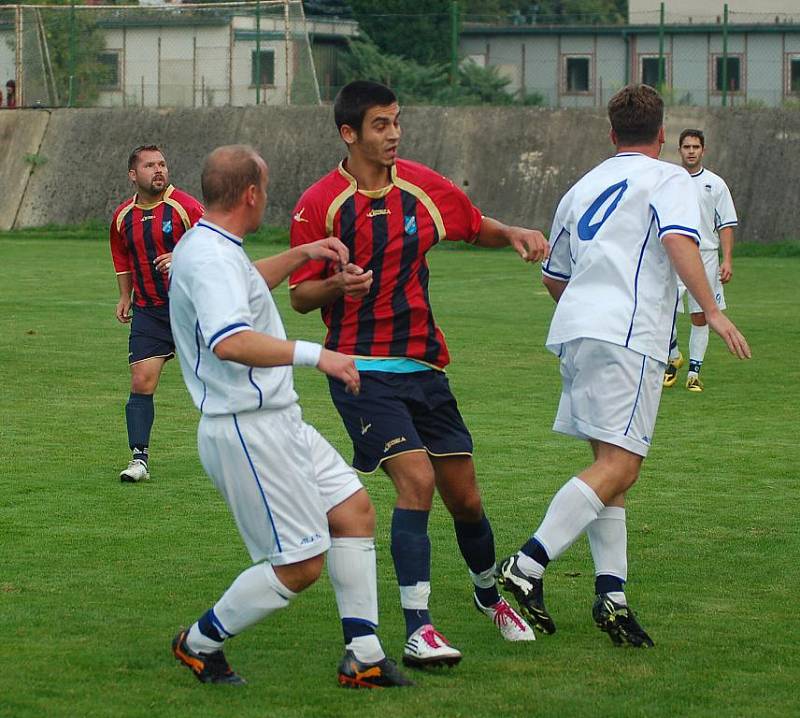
[215, 292]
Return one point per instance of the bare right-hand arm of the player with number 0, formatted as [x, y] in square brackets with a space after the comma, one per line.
[685, 257]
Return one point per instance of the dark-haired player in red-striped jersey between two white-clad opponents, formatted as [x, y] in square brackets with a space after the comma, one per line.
[389, 213]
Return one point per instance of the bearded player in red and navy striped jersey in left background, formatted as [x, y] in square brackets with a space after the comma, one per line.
[144, 231]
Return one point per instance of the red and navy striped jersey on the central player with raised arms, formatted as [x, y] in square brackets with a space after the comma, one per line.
[388, 231]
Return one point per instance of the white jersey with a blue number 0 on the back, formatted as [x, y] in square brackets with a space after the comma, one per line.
[605, 242]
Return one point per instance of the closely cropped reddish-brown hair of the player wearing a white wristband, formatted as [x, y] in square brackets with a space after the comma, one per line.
[227, 173]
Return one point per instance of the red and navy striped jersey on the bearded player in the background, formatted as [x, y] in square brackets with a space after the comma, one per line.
[141, 232]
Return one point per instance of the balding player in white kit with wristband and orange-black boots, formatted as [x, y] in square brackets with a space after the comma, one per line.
[292, 496]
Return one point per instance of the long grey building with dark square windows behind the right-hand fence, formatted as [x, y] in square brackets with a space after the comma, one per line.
[730, 59]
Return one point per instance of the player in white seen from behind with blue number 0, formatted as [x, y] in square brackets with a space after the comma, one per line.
[618, 236]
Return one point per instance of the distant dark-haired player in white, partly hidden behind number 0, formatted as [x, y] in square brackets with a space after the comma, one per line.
[717, 220]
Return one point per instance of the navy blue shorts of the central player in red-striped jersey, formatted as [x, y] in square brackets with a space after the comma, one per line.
[398, 413]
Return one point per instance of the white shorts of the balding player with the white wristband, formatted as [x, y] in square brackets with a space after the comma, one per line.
[279, 477]
